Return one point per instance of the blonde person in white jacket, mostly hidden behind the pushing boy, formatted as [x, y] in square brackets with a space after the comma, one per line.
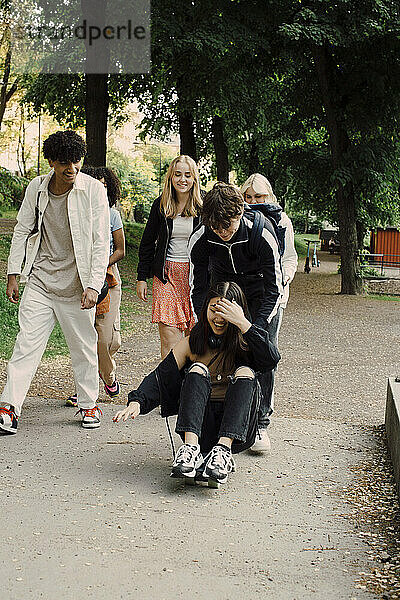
[258, 190]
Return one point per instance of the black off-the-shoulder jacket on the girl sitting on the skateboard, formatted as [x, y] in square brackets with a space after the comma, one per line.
[163, 385]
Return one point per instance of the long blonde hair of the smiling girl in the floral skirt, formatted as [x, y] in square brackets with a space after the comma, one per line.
[169, 201]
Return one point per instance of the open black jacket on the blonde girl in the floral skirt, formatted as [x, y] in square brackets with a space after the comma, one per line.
[154, 244]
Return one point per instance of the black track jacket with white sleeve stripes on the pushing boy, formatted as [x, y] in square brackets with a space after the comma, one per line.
[260, 277]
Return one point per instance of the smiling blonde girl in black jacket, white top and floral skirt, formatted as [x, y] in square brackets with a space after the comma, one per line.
[163, 252]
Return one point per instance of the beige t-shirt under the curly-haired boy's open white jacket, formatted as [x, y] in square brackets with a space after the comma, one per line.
[54, 270]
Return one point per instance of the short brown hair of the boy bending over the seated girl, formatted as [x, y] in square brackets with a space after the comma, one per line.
[222, 204]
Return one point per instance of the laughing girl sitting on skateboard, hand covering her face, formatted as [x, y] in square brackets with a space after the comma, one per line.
[210, 380]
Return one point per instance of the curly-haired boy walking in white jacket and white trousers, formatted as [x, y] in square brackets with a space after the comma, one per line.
[62, 237]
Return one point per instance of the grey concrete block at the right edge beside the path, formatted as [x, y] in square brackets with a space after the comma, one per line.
[392, 424]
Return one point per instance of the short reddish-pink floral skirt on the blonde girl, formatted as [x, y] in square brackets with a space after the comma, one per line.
[171, 302]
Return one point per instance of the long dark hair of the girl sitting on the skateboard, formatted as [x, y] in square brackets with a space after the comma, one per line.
[232, 342]
